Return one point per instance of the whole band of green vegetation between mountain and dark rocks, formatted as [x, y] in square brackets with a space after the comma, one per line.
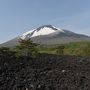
[31, 49]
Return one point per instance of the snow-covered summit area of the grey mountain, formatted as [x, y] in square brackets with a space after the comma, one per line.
[44, 30]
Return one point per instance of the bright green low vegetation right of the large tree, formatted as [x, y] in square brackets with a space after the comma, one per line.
[75, 48]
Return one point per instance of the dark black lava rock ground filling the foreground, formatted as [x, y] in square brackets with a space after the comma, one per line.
[47, 72]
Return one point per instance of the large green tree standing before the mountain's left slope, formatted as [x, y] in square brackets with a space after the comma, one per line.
[26, 48]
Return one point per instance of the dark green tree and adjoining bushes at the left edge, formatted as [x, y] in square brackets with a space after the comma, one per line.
[26, 48]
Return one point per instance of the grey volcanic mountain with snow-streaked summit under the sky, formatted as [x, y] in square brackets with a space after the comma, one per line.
[48, 35]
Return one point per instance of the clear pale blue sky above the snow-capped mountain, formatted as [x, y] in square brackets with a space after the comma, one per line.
[19, 16]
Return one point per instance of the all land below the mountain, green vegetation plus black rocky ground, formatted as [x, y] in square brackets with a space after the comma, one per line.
[58, 67]
